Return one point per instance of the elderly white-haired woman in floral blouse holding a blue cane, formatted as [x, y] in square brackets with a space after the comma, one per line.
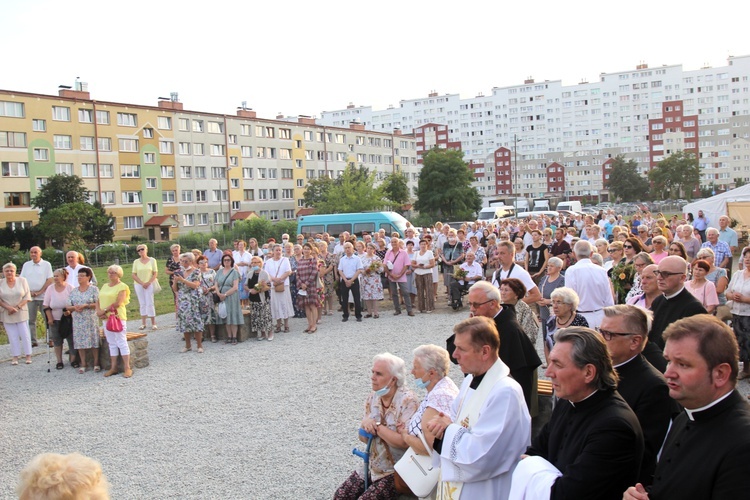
[389, 405]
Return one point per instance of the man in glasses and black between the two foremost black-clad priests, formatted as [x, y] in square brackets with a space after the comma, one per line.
[625, 330]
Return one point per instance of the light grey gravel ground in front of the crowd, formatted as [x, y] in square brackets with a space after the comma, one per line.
[261, 420]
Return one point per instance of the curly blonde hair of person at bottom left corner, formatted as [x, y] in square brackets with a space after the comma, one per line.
[54, 476]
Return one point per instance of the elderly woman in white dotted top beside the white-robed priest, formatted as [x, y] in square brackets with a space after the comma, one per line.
[430, 369]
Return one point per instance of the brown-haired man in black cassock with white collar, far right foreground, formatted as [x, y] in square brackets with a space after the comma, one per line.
[707, 450]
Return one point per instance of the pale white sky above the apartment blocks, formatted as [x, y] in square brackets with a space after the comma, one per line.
[302, 57]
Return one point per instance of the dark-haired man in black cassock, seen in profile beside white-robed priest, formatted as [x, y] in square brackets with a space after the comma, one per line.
[593, 438]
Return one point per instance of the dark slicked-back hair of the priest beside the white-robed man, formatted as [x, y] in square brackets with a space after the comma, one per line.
[589, 348]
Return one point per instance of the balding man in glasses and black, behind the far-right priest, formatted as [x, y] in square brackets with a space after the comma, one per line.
[674, 303]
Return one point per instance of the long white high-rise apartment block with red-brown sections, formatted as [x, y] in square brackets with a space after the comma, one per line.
[572, 132]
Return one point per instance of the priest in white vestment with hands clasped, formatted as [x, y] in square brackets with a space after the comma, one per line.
[480, 443]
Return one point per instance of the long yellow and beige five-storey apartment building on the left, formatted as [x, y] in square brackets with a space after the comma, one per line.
[162, 170]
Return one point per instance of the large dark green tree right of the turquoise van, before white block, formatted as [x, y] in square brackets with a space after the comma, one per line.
[445, 186]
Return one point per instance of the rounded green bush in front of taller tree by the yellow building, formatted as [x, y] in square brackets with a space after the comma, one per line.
[77, 223]
